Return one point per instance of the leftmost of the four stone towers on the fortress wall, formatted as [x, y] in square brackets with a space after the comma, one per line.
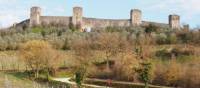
[35, 16]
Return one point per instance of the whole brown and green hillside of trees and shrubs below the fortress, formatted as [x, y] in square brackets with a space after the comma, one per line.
[145, 54]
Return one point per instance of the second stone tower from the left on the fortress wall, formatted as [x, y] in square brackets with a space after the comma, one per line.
[77, 18]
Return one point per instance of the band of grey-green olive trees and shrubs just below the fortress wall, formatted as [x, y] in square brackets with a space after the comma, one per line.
[58, 35]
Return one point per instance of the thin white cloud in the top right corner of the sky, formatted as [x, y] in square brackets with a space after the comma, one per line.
[190, 6]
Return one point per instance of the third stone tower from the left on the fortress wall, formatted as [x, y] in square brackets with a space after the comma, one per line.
[136, 17]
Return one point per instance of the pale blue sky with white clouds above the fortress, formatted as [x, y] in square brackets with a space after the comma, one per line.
[12, 11]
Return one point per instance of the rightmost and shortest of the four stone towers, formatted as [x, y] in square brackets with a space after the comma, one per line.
[174, 21]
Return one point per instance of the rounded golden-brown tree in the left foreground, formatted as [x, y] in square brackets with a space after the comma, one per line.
[39, 55]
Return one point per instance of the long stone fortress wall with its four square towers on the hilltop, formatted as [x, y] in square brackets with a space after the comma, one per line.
[78, 19]
